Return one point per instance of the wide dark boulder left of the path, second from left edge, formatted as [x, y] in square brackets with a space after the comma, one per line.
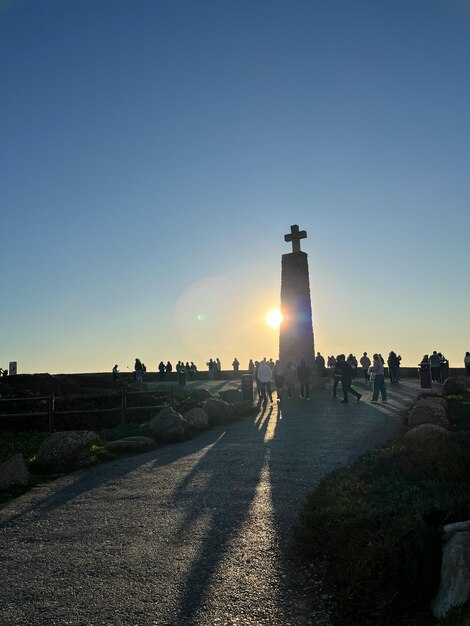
[68, 448]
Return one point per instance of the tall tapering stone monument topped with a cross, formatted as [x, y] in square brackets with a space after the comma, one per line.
[296, 330]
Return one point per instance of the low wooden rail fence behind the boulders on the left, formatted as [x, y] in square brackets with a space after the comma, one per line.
[49, 406]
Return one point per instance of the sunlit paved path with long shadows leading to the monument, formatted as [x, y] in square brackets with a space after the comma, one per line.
[191, 534]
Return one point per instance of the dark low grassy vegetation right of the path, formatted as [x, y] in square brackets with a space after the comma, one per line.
[377, 525]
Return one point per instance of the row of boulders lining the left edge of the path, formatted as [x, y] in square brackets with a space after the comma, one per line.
[73, 449]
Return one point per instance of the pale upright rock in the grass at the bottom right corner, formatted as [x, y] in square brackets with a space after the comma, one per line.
[454, 586]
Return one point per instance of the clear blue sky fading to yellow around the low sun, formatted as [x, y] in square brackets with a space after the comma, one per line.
[155, 152]
